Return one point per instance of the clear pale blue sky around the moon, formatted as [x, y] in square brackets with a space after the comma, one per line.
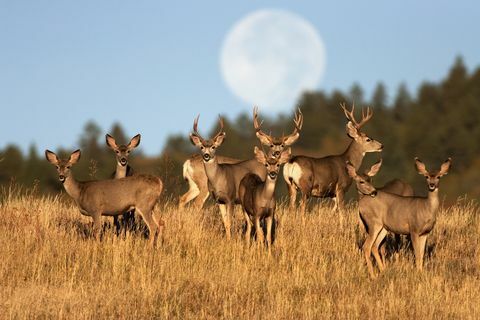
[154, 65]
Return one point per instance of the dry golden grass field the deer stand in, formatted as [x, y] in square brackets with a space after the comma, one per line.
[51, 268]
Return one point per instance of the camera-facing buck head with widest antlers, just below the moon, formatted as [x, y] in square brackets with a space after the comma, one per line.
[277, 145]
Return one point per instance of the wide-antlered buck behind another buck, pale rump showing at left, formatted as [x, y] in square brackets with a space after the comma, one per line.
[194, 170]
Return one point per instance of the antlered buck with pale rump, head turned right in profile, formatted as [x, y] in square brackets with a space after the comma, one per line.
[327, 177]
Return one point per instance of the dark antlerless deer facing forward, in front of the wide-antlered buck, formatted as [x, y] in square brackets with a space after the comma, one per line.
[257, 195]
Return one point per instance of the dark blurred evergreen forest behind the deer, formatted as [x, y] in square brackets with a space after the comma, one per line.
[438, 121]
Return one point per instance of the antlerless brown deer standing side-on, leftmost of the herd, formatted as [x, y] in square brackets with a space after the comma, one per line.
[111, 197]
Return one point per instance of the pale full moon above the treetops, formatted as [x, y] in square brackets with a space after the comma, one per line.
[270, 57]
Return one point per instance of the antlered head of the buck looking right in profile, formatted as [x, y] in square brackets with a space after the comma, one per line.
[353, 129]
